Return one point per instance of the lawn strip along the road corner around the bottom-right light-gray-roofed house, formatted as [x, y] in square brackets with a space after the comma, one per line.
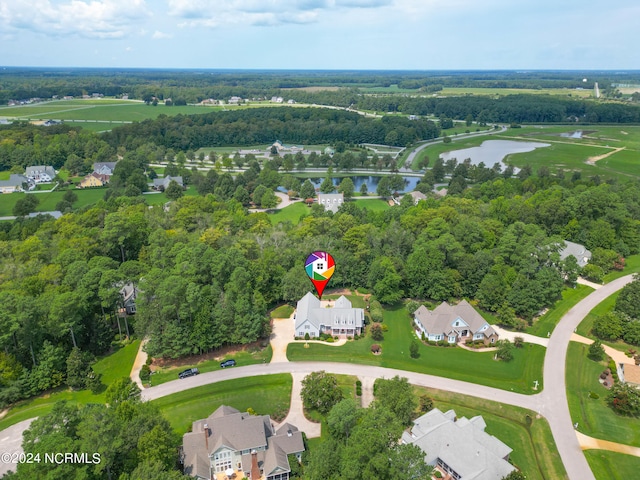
[534, 450]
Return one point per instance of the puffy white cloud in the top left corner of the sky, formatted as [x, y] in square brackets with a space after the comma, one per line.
[93, 19]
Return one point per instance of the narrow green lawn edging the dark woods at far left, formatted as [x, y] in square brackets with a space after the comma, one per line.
[112, 367]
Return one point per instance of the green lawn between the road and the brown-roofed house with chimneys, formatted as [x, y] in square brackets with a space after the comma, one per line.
[266, 394]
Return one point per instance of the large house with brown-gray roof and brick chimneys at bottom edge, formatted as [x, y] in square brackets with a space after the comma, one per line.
[230, 442]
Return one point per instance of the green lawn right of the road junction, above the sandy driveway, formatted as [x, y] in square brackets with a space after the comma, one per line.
[594, 417]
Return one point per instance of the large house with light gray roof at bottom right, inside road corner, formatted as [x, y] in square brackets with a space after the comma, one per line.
[459, 447]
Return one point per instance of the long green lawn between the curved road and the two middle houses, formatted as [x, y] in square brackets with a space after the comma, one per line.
[517, 375]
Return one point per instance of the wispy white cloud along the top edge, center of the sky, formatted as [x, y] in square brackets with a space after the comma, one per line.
[261, 12]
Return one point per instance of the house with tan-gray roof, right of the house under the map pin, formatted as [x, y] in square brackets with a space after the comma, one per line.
[453, 323]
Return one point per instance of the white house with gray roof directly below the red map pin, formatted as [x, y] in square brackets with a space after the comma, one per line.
[341, 320]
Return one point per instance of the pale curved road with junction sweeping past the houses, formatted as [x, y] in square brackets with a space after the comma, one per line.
[551, 402]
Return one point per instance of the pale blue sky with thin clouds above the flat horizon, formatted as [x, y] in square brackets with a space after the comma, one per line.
[322, 34]
